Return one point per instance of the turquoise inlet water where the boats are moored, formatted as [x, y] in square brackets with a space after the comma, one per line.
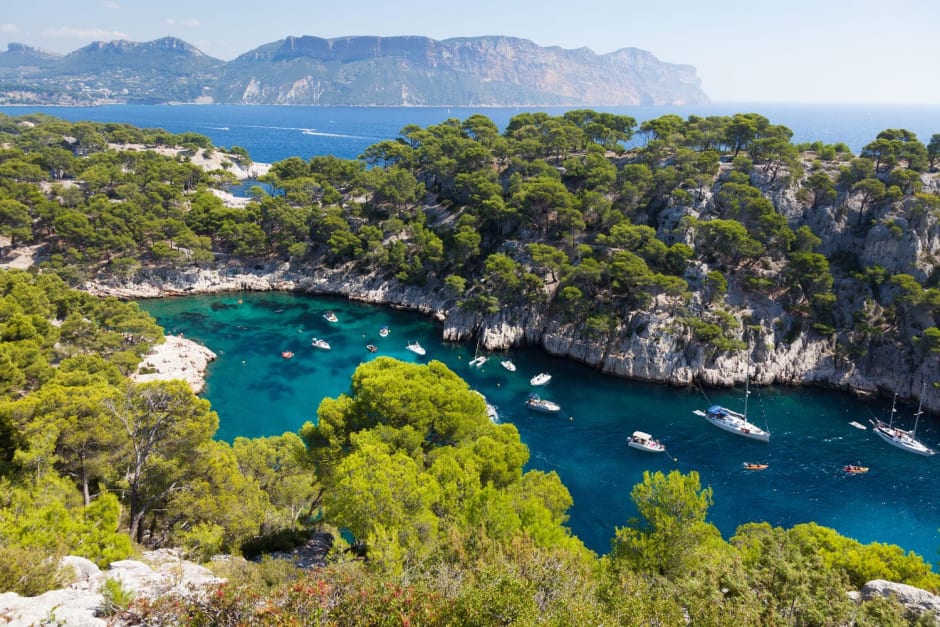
[257, 392]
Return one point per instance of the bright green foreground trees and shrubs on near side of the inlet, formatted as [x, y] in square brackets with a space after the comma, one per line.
[442, 523]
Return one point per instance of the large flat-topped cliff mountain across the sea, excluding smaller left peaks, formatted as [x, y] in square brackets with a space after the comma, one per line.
[467, 71]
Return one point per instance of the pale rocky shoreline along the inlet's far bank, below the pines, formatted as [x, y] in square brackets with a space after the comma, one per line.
[647, 349]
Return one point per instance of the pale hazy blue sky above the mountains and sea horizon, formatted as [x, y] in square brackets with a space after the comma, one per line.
[861, 51]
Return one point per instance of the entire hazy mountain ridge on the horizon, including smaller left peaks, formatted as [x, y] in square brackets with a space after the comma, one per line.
[384, 71]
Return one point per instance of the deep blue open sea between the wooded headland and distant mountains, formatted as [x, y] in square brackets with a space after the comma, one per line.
[271, 133]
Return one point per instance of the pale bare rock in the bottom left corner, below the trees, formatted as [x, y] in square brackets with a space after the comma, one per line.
[159, 574]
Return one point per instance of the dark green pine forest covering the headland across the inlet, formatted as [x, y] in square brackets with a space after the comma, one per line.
[552, 214]
